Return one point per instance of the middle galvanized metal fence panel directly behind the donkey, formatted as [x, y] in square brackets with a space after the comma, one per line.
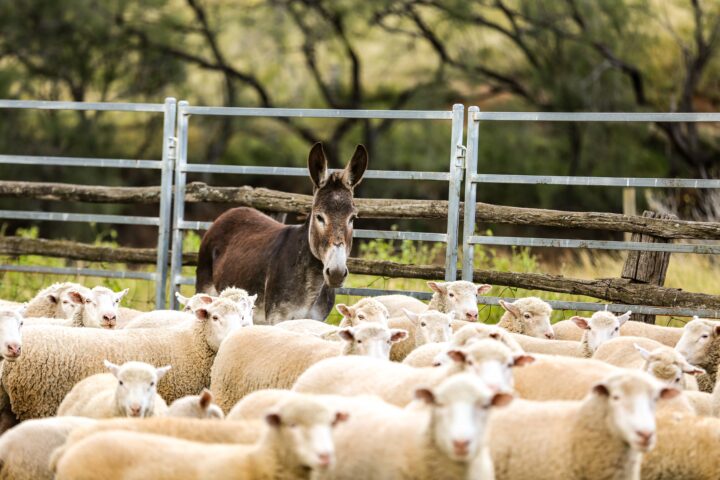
[453, 176]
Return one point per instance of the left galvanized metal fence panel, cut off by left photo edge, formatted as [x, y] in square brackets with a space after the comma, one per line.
[165, 166]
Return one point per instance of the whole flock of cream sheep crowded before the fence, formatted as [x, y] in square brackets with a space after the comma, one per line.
[399, 390]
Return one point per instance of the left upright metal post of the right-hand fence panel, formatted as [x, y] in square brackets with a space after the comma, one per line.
[470, 193]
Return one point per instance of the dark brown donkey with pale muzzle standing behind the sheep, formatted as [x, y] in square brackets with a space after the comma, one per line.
[294, 269]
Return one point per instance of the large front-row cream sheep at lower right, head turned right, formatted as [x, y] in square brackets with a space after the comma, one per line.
[602, 436]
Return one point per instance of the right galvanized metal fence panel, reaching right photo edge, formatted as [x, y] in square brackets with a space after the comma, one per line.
[473, 179]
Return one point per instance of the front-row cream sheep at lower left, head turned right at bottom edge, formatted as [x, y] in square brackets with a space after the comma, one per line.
[296, 443]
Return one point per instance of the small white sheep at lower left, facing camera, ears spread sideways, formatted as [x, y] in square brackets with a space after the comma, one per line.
[130, 390]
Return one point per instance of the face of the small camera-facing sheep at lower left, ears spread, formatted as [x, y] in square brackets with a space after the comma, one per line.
[137, 386]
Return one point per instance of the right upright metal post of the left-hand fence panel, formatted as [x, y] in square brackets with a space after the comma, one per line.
[165, 209]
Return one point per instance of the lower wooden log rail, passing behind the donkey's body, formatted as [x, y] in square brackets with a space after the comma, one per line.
[616, 290]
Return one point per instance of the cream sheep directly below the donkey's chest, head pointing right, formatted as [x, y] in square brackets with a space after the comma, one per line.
[268, 357]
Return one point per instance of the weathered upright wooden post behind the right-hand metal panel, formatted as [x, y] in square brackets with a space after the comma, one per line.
[647, 267]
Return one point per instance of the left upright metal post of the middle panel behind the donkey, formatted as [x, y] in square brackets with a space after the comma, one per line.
[179, 208]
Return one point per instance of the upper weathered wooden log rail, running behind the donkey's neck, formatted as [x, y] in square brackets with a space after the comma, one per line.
[276, 201]
